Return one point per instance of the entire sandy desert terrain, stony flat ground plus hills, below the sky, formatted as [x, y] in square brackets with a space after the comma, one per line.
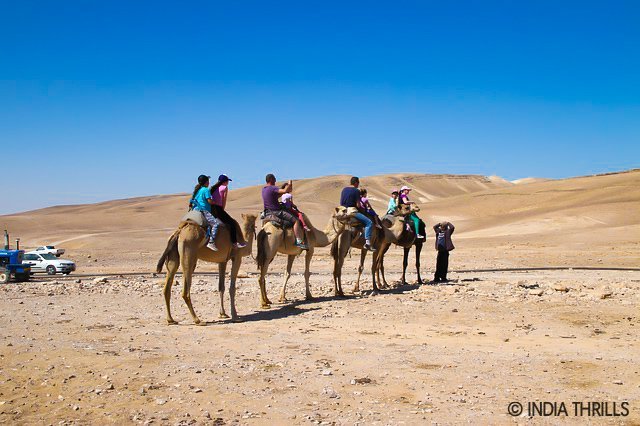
[96, 349]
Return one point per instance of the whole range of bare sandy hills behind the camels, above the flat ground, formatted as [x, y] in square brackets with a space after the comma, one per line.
[592, 212]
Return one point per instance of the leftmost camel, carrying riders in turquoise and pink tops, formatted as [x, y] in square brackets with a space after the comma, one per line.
[187, 245]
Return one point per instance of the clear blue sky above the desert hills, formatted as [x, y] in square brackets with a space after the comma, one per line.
[111, 99]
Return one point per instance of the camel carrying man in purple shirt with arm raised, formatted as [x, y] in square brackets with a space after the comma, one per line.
[273, 240]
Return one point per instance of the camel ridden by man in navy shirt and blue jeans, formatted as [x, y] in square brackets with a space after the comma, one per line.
[353, 238]
